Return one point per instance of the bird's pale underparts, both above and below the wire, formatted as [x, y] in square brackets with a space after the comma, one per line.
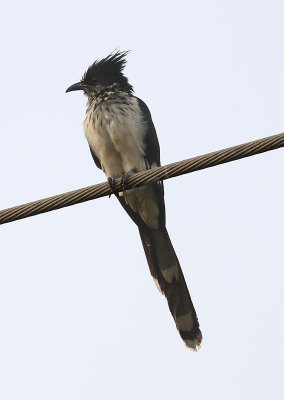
[117, 141]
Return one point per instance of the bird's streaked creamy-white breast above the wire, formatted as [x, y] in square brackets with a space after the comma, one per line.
[115, 131]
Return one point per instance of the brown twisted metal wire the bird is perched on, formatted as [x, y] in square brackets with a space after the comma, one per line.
[140, 178]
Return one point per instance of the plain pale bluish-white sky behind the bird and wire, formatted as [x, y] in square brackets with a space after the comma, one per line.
[81, 317]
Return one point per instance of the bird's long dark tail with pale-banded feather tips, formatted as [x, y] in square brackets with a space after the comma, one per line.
[166, 271]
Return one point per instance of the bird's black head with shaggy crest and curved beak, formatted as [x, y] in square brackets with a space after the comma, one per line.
[104, 74]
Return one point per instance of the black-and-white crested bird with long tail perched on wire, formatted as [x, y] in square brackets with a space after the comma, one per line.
[123, 140]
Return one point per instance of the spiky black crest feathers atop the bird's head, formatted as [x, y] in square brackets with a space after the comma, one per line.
[108, 71]
